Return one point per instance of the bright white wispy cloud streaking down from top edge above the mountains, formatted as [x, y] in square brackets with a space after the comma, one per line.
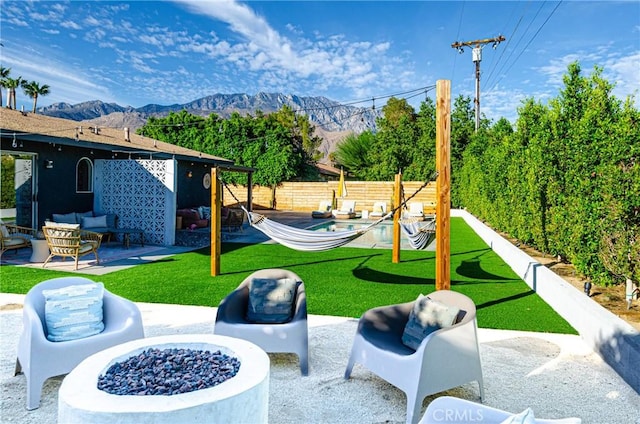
[332, 59]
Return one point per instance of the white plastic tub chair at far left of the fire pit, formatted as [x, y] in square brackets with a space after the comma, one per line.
[40, 359]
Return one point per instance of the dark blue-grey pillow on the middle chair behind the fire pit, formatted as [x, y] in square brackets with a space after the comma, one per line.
[271, 301]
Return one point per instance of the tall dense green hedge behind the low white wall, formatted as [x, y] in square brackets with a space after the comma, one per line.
[566, 180]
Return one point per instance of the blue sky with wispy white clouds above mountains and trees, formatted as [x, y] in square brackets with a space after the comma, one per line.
[141, 52]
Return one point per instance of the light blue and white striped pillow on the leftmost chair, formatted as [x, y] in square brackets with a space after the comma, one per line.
[73, 312]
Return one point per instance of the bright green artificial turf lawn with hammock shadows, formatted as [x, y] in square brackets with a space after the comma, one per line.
[341, 282]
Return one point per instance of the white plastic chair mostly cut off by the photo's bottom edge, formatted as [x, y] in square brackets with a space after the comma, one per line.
[451, 409]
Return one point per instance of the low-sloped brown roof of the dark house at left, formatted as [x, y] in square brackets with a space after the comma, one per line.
[67, 132]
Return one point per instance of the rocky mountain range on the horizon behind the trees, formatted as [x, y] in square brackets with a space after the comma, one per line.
[332, 120]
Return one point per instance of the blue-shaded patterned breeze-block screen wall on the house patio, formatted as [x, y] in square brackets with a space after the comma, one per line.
[142, 193]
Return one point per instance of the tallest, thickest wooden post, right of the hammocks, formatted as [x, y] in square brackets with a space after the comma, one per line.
[443, 184]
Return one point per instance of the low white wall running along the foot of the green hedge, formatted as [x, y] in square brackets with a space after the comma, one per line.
[613, 338]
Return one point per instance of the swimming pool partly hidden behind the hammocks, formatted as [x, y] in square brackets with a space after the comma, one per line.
[380, 236]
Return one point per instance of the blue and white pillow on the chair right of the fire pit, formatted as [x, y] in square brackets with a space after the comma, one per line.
[427, 316]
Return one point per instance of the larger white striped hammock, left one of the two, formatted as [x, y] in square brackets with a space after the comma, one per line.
[306, 240]
